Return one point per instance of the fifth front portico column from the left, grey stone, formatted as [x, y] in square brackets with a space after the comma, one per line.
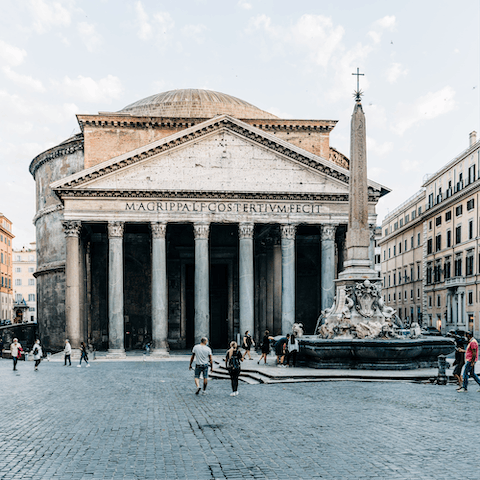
[246, 279]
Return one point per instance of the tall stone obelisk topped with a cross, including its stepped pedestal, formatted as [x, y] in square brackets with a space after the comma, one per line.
[358, 264]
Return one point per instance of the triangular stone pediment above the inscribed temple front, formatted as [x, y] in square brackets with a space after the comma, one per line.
[220, 155]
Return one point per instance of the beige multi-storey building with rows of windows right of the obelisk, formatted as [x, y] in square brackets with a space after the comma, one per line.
[431, 248]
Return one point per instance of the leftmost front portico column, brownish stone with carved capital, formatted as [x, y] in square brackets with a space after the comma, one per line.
[73, 326]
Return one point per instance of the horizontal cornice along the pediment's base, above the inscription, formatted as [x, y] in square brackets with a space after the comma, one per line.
[185, 195]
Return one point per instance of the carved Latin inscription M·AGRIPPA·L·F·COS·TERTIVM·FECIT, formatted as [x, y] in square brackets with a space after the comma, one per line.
[223, 207]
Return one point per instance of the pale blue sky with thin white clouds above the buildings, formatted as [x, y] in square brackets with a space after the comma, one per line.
[421, 61]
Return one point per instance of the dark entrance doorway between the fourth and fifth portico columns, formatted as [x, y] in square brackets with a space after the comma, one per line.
[219, 305]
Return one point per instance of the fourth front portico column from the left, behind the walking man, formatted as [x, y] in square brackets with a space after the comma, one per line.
[202, 282]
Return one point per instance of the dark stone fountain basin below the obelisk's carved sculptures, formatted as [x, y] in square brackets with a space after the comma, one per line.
[374, 354]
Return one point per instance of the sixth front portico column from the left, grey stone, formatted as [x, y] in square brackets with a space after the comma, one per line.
[288, 277]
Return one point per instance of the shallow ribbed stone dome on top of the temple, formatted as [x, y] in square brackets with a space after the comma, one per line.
[194, 103]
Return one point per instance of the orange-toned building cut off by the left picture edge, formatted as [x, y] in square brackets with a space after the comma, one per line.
[6, 285]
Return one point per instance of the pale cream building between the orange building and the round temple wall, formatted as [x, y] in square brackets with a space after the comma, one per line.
[24, 284]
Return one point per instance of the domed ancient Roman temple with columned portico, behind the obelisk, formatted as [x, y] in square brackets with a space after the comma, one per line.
[186, 214]
